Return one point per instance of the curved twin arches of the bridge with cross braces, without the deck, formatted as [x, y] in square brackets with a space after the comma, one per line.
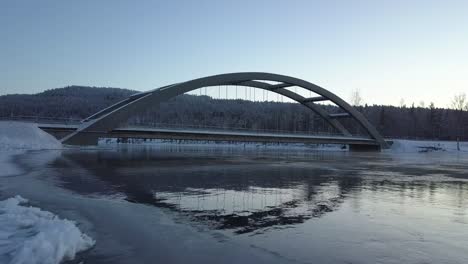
[112, 117]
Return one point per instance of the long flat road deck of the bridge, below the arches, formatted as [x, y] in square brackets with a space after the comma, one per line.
[124, 134]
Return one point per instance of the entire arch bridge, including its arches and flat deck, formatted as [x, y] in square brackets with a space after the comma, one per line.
[108, 122]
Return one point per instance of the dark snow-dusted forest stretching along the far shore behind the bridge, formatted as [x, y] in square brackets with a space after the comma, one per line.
[78, 102]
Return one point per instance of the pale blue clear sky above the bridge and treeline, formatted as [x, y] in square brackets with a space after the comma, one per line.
[416, 50]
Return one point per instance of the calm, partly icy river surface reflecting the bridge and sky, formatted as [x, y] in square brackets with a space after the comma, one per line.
[221, 205]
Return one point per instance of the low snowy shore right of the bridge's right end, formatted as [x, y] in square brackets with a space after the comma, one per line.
[427, 146]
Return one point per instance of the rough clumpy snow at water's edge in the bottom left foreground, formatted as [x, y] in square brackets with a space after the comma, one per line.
[30, 235]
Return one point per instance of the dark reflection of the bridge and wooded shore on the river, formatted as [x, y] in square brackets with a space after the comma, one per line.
[252, 192]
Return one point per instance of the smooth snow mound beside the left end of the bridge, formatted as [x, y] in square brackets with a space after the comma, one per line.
[18, 135]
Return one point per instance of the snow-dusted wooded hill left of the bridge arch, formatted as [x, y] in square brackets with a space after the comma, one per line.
[69, 102]
